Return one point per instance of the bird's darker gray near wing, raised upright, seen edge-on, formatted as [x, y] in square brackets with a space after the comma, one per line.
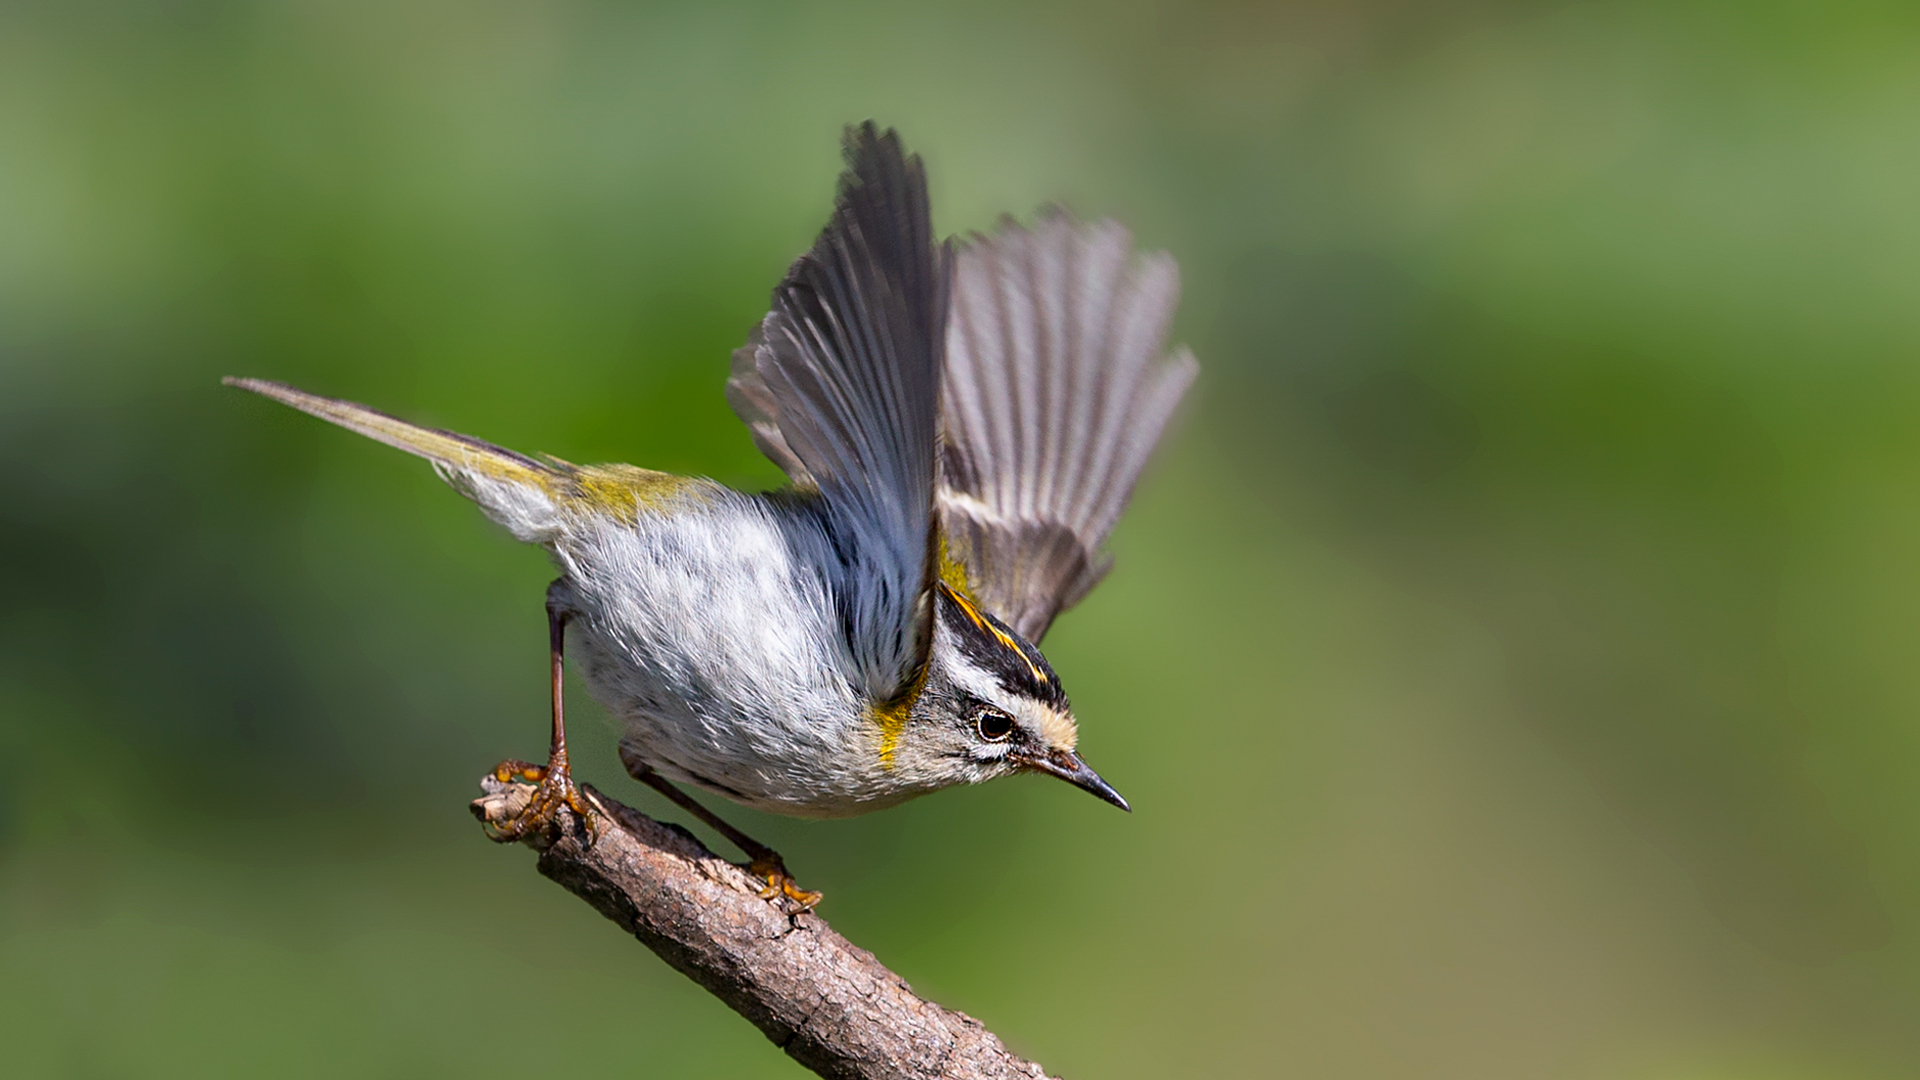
[840, 385]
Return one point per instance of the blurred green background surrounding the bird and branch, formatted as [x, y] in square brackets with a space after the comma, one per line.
[1514, 660]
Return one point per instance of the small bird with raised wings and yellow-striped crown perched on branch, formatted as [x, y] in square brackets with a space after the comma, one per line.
[961, 428]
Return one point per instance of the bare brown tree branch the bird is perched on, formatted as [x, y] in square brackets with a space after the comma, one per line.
[827, 1002]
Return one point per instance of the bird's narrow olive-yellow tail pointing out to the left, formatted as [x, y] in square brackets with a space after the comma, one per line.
[514, 489]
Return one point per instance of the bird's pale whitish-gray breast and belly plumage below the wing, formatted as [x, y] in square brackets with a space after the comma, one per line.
[713, 633]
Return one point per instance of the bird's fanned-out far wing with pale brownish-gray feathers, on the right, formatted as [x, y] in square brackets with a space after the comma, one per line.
[1057, 391]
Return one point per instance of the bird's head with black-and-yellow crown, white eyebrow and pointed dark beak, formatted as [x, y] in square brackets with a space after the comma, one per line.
[990, 706]
